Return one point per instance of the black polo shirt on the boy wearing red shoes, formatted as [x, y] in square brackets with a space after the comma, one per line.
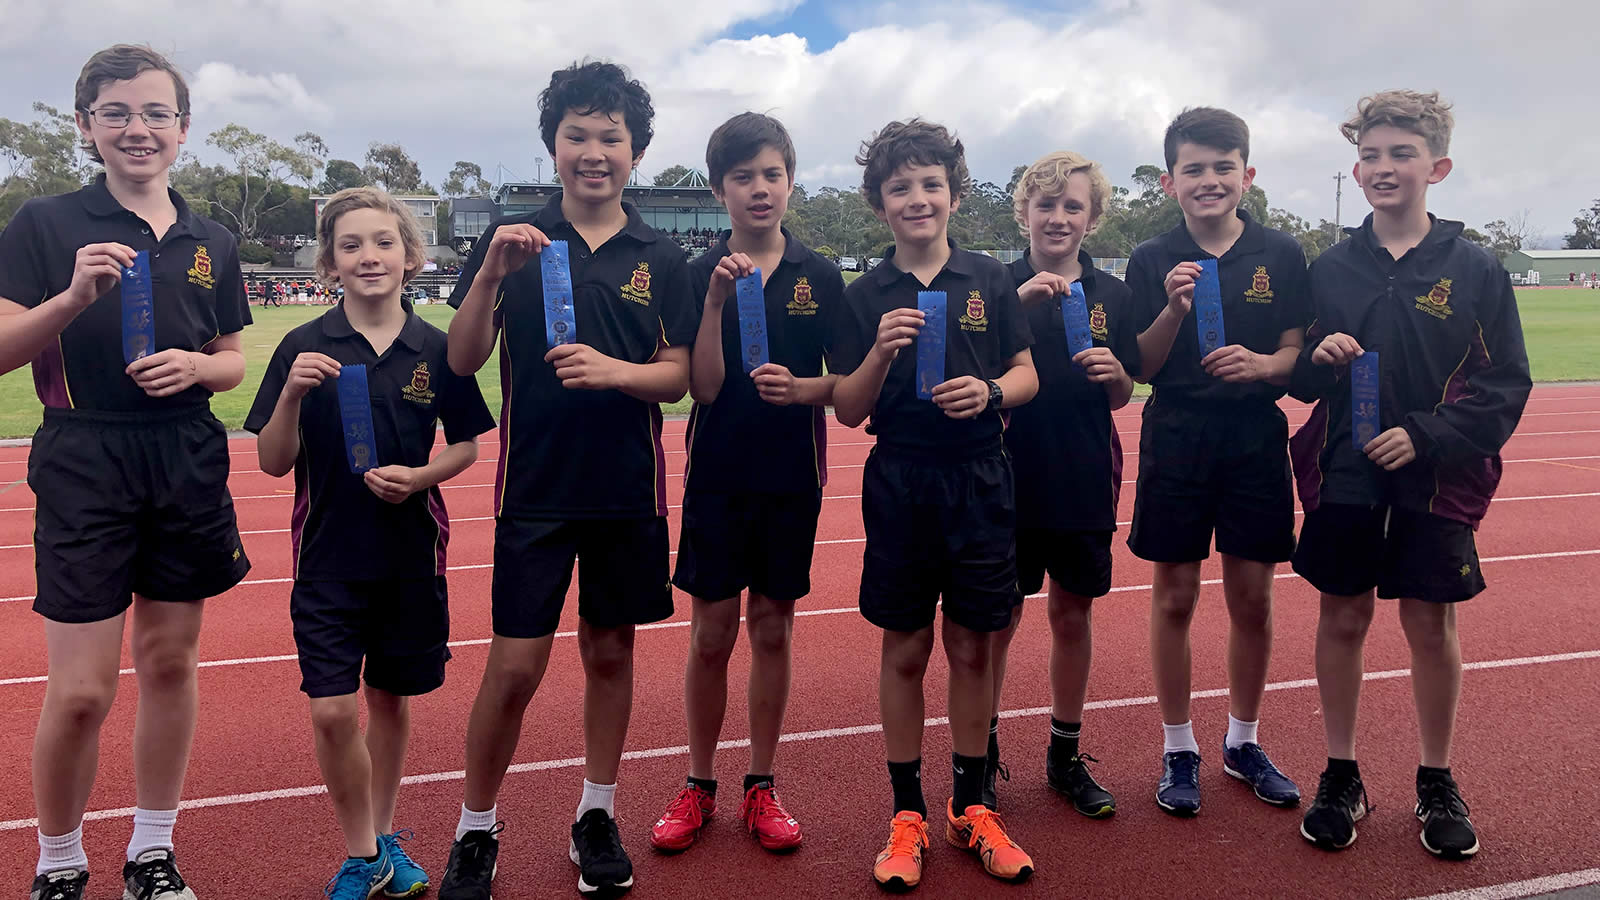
[742, 443]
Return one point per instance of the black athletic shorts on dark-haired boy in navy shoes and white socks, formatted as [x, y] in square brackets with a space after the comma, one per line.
[1222, 470]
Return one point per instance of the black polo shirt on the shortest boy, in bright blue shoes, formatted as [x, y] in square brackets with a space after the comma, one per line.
[342, 531]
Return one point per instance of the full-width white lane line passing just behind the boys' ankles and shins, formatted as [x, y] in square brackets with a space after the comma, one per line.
[791, 737]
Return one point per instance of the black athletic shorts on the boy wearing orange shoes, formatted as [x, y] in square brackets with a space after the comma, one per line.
[938, 528]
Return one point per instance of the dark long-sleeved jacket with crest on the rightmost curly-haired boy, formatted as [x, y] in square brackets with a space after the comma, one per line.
[1454, 372]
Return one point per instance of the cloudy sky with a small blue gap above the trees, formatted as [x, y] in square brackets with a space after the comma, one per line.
[458, 81]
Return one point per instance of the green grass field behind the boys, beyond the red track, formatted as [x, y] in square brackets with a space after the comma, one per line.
[1562, 327]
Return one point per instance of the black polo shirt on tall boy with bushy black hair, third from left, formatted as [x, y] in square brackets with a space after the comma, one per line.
[575, 454]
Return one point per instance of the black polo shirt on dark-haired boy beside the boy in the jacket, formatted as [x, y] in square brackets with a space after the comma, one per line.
[1265, 294]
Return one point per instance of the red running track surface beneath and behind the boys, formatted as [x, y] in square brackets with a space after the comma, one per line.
[1524, 750]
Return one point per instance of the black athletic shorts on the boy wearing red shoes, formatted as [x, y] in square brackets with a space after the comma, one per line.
[762, 542]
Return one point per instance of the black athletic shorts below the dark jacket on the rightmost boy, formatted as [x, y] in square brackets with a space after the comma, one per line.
[1350, 550]
